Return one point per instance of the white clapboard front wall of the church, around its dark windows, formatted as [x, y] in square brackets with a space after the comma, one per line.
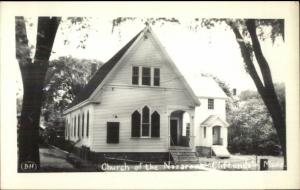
[119, 99]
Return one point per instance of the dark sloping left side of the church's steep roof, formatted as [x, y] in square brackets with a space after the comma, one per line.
[100, 75]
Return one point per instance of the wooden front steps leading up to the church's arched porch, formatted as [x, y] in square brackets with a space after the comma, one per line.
[183, 155]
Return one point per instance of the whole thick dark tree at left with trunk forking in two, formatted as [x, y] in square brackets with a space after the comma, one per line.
[33, 73]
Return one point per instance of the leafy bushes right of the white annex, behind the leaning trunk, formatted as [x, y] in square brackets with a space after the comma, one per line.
[251, 130]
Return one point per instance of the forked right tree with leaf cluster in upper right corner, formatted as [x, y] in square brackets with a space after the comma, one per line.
[265, 86]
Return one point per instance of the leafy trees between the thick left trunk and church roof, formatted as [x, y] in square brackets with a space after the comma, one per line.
[64, 79]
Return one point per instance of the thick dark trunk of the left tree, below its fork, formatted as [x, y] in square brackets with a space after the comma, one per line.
[33, 79]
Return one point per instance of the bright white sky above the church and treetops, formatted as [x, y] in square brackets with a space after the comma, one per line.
[213, 51]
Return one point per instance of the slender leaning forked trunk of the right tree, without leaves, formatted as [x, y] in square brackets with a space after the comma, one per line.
[265, 88]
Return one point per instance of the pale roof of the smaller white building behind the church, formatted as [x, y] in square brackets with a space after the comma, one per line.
[207, 87]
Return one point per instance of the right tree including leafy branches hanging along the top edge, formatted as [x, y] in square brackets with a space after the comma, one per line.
[246, 29]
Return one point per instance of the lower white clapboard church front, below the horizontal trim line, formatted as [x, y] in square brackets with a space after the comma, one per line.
[121, 103]
